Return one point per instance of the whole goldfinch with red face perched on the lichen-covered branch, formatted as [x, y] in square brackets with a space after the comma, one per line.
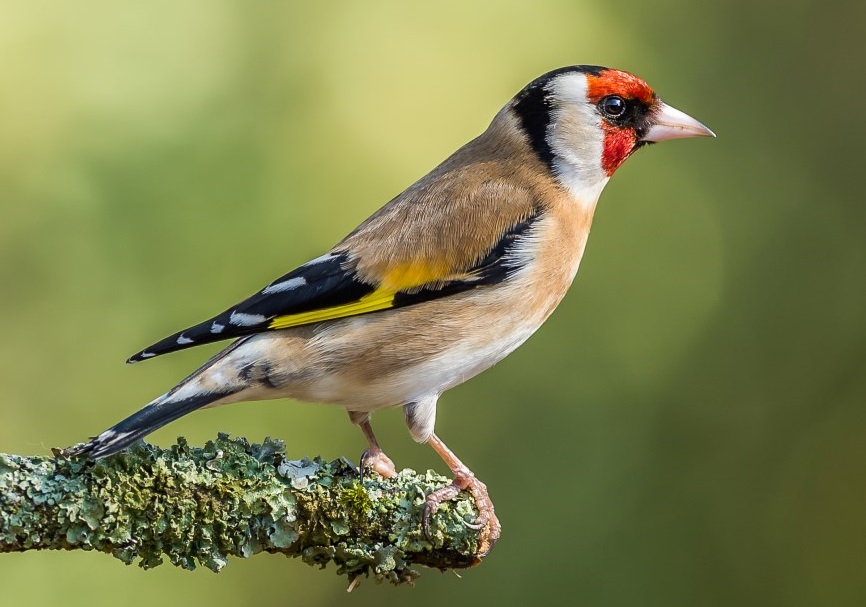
[438, 285]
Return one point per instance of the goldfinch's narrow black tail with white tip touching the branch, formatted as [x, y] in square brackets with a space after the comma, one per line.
[160, 412]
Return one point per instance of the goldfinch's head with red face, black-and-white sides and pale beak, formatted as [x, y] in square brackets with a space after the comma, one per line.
[584, 121]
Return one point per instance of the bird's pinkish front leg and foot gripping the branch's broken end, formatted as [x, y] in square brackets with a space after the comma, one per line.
[463, 479]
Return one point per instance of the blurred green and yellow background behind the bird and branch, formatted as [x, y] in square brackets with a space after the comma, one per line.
[693, 412]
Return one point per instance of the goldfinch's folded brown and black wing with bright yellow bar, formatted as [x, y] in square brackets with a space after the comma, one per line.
[385, 272]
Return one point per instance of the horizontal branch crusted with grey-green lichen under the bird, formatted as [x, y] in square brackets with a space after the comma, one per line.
[230, 498]
